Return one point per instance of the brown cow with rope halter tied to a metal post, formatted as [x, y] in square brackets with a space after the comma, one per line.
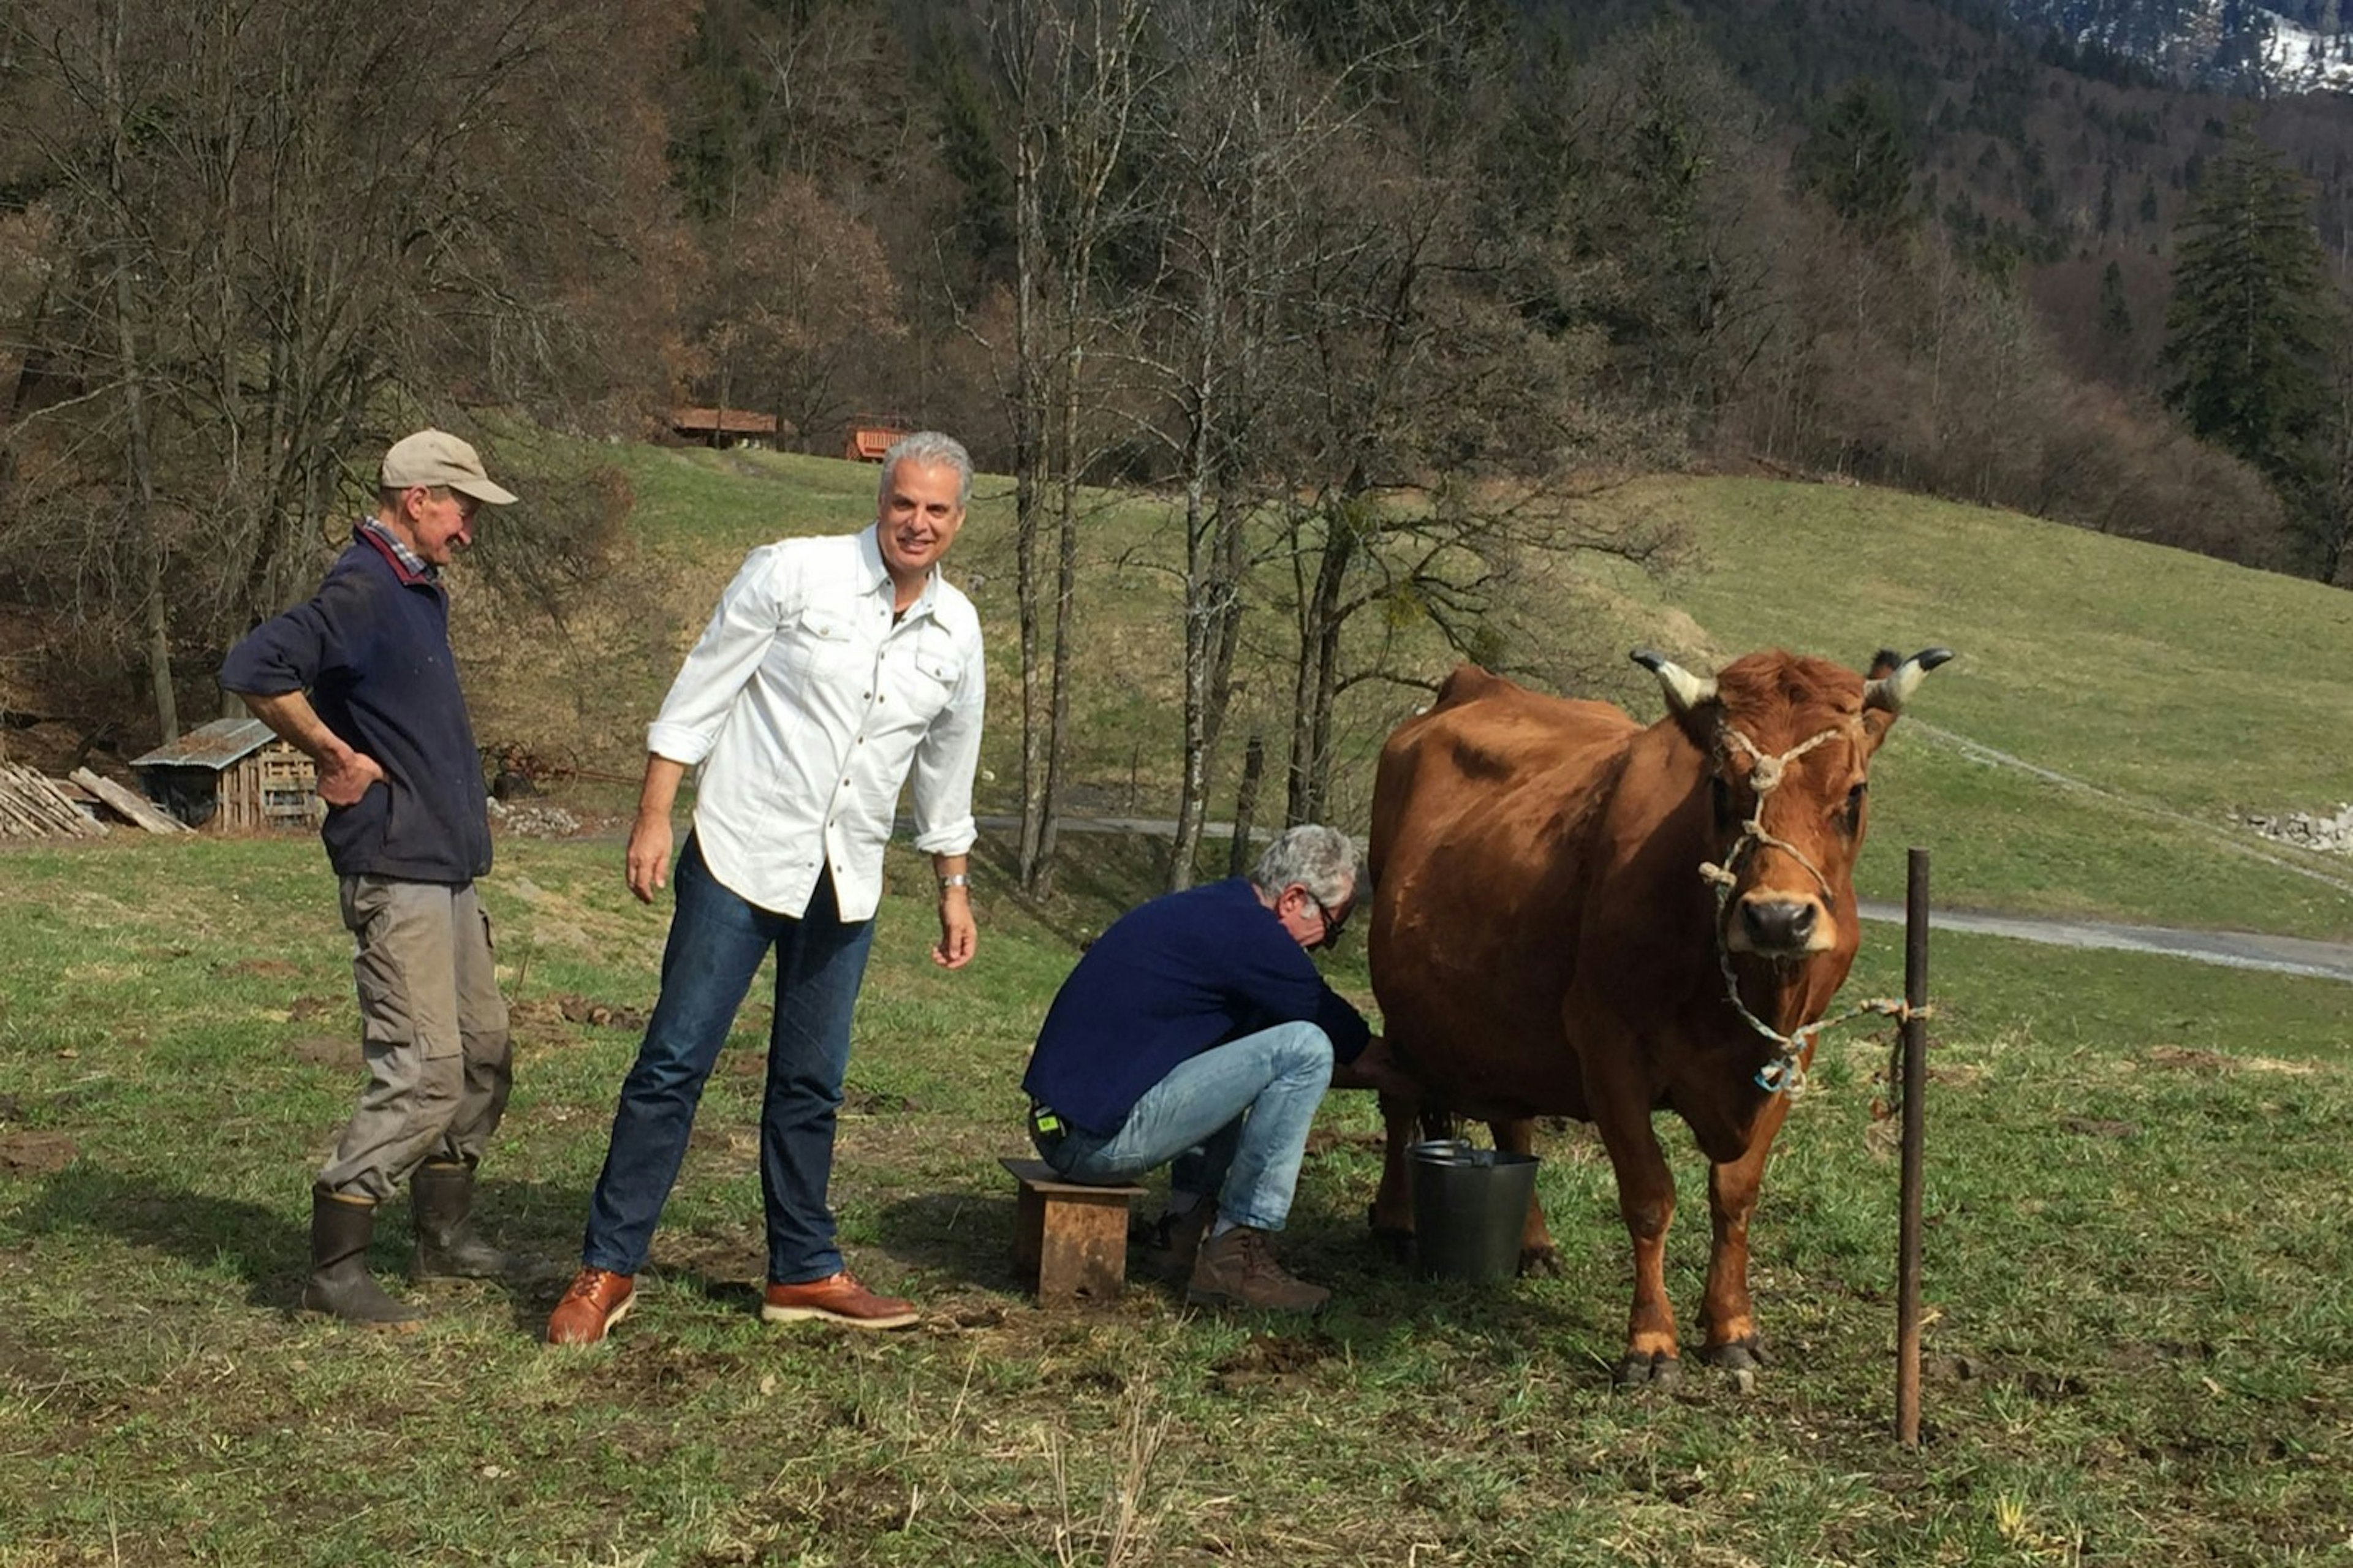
[1564, 898]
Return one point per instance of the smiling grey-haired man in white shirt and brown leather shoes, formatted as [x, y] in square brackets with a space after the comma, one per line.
[829, 675]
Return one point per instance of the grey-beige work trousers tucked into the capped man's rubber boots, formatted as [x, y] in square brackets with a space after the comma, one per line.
[434, 1032]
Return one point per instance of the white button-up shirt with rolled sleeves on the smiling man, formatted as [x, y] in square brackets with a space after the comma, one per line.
[806, 710]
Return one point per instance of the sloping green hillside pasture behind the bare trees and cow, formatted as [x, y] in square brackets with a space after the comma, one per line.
[2114, 703]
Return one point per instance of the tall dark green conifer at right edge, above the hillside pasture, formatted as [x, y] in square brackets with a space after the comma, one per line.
[2253, 317]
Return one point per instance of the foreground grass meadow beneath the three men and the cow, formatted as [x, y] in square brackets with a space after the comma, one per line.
[2138, 1343]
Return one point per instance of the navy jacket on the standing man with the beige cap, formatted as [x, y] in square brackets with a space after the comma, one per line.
[373, 651]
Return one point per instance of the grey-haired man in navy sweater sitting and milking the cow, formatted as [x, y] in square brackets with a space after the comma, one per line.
[1199, 1021]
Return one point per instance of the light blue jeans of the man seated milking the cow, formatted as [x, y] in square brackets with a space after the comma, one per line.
[1246, 1105]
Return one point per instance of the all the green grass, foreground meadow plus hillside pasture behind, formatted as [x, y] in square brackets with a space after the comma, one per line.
[2140, 1341]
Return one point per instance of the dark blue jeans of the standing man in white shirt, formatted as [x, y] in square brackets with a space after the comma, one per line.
[716, 948]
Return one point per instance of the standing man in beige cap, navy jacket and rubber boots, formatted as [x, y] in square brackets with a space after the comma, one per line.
[364, 682]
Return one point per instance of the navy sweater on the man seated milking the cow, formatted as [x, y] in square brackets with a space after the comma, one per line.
[1164, 985]
